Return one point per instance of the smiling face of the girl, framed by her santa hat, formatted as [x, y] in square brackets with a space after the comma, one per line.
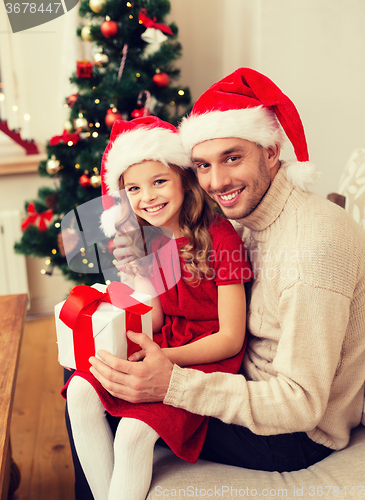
[156, 194]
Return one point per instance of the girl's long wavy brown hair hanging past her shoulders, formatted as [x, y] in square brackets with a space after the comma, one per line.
[196, 215]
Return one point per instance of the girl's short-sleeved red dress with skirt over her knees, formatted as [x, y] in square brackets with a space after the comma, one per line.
[191, 312]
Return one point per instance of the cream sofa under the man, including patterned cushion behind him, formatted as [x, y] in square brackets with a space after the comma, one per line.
[340, 475]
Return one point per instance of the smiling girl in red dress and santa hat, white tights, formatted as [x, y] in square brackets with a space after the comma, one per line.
[199, 322]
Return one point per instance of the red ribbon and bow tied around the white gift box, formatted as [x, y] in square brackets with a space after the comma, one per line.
[79, 307]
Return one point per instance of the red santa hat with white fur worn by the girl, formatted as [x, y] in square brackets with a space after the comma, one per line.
[131, 142]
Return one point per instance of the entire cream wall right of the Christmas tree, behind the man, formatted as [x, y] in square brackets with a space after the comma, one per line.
[312, 49]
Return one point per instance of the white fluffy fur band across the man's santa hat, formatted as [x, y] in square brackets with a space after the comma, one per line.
[258, 125]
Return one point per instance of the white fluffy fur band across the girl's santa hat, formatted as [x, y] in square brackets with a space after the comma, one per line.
[136, 146]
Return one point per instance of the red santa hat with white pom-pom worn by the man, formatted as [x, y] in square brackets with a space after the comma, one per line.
[248, 105]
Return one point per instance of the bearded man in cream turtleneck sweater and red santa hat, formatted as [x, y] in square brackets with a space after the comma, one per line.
[301, 390]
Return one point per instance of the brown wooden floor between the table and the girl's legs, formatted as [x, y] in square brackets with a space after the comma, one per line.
[38, 433]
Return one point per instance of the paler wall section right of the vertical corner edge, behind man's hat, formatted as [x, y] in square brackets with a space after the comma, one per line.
[314, 50]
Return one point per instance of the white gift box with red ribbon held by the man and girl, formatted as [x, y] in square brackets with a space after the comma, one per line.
[97, 317]
